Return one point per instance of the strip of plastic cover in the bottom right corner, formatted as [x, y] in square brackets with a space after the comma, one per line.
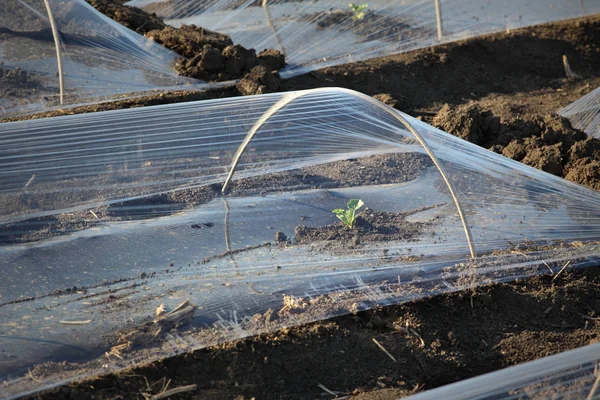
[570, 375]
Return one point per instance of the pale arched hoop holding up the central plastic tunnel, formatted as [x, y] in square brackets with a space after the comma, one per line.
[290, 97]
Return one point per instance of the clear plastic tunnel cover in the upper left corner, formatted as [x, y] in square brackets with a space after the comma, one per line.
[57, 53]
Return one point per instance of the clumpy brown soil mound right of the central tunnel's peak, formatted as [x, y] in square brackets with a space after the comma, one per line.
[547, 142]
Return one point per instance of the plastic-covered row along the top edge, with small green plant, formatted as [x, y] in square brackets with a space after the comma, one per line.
[316, 34]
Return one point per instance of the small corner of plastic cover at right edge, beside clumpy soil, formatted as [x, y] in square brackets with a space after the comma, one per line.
[584, 113]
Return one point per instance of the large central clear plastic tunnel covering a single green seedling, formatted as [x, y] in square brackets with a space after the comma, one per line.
[124, 240]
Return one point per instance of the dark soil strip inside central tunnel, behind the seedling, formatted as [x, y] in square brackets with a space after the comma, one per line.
[373, 170]
